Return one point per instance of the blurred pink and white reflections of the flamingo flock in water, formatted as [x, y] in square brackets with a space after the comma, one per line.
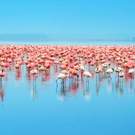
[72, 85]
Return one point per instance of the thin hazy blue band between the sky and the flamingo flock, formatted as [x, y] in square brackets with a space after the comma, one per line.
[51, 39]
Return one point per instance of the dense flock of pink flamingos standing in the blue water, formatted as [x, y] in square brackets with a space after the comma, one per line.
[68, 63]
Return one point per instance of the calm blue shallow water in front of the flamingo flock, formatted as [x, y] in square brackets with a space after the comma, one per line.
[100, 106]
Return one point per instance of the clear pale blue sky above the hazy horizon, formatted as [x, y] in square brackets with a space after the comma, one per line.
[90, 18]
